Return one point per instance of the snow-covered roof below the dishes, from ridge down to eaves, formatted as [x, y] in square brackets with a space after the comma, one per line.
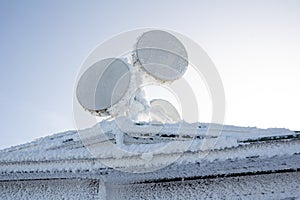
[236, 150]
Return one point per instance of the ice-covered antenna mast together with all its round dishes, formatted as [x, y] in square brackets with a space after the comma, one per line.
[107, 87]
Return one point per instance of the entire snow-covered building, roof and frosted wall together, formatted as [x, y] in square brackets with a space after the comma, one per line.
[239, 163]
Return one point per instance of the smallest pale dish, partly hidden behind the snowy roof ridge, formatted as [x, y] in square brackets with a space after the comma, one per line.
[163, 111]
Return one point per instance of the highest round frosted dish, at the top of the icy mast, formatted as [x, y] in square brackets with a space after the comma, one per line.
[162, 55]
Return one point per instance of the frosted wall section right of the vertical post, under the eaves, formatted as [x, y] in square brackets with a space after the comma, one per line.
[272, 186]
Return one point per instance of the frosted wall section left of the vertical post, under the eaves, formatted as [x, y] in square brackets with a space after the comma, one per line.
[49, 189]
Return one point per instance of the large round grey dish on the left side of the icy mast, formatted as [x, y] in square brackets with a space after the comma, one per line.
[103, 84]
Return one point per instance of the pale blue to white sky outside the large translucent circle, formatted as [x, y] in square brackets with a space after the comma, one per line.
[255, 46]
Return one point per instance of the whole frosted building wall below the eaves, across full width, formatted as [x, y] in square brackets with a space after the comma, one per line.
[285, 186]
